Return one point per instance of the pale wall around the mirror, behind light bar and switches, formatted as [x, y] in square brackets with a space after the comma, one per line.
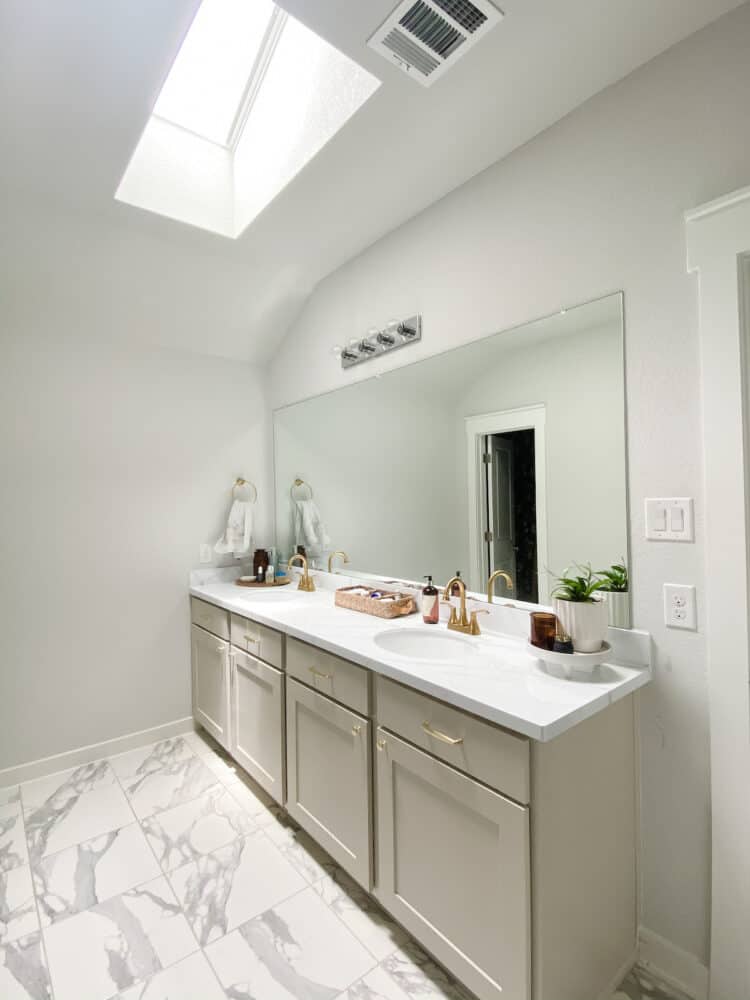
[593, 205]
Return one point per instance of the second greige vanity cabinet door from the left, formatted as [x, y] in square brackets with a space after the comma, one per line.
[258, 721]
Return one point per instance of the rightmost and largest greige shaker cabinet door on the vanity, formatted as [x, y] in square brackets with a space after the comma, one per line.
[453, 868]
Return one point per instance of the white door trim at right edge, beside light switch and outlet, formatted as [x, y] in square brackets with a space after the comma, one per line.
[718, 244]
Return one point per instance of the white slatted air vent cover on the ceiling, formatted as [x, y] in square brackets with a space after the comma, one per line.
[425, 38]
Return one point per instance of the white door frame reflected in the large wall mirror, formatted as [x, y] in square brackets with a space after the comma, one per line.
[521, 418]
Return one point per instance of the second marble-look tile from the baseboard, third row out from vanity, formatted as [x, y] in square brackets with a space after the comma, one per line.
[79, 877]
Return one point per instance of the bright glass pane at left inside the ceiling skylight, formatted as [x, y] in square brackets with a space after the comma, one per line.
[206, 84]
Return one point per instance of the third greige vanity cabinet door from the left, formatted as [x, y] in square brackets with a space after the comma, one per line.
[328, 777]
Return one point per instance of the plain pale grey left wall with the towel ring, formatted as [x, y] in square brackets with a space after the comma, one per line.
[117, 464]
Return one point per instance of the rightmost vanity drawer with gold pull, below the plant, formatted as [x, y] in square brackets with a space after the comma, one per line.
[493, 755]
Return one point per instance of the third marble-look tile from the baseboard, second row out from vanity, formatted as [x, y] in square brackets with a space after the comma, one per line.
[223, 889]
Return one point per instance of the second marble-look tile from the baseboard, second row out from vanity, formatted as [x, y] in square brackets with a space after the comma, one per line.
[189, 831]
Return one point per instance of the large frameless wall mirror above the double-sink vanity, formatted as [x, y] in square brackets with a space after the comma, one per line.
[507, 453]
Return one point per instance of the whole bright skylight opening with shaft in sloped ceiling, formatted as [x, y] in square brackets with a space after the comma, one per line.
[250, 99]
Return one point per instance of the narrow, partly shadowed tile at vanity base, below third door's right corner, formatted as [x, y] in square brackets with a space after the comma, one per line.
[358, 910]
